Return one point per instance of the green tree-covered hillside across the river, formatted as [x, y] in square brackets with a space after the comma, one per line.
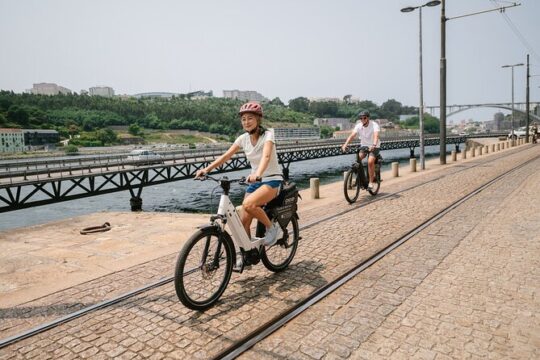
[92, 116]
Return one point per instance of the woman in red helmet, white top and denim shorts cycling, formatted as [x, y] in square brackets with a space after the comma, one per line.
[259, 146]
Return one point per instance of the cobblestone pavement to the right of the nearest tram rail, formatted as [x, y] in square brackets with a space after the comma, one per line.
[466, 287]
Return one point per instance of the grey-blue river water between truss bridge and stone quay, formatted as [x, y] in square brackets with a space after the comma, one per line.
[194, 196]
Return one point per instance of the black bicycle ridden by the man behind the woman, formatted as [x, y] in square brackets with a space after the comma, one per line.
[357, 178]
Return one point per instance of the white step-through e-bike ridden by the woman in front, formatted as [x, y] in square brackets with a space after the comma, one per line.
[207, 260]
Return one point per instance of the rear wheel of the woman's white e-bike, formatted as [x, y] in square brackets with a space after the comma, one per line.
[286, 245]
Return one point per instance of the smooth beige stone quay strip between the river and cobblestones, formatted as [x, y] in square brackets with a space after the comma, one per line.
[41, 259]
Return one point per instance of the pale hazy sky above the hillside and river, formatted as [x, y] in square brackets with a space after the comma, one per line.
[280, 48]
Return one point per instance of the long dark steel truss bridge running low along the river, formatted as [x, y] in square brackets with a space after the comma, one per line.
[22, 193]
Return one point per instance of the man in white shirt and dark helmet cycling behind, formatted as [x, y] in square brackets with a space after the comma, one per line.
[368, 133]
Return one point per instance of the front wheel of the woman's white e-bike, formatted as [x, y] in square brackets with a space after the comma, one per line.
[203, 268]
